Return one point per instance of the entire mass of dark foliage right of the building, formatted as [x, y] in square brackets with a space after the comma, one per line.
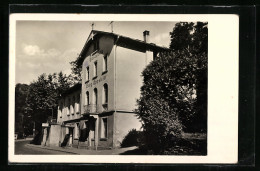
[174, 94]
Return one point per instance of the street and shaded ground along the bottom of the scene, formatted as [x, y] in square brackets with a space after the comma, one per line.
[189, 144]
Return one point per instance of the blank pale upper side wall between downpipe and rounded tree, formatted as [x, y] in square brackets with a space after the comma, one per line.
[130, 65]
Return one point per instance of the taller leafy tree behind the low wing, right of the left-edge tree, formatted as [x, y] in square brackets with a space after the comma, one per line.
[43, 97]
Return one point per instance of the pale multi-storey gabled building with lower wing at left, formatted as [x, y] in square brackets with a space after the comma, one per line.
[100, 111]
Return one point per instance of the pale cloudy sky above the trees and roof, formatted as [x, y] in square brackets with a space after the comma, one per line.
[49, 46]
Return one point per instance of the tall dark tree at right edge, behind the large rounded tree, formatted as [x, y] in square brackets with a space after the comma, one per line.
[193, 37]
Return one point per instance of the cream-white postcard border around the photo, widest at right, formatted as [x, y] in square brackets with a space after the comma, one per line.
[223, 38]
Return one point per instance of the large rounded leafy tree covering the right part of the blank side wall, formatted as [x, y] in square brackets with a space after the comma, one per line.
[167, 97]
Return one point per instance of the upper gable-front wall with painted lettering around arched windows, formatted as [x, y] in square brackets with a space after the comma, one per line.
[106, 47]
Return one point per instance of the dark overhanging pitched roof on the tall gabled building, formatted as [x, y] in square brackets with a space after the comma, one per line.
[123, 41]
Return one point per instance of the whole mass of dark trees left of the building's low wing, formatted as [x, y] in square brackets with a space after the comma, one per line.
[39, 100]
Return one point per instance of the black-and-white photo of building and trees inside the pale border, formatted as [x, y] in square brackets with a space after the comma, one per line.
[112, 87]
